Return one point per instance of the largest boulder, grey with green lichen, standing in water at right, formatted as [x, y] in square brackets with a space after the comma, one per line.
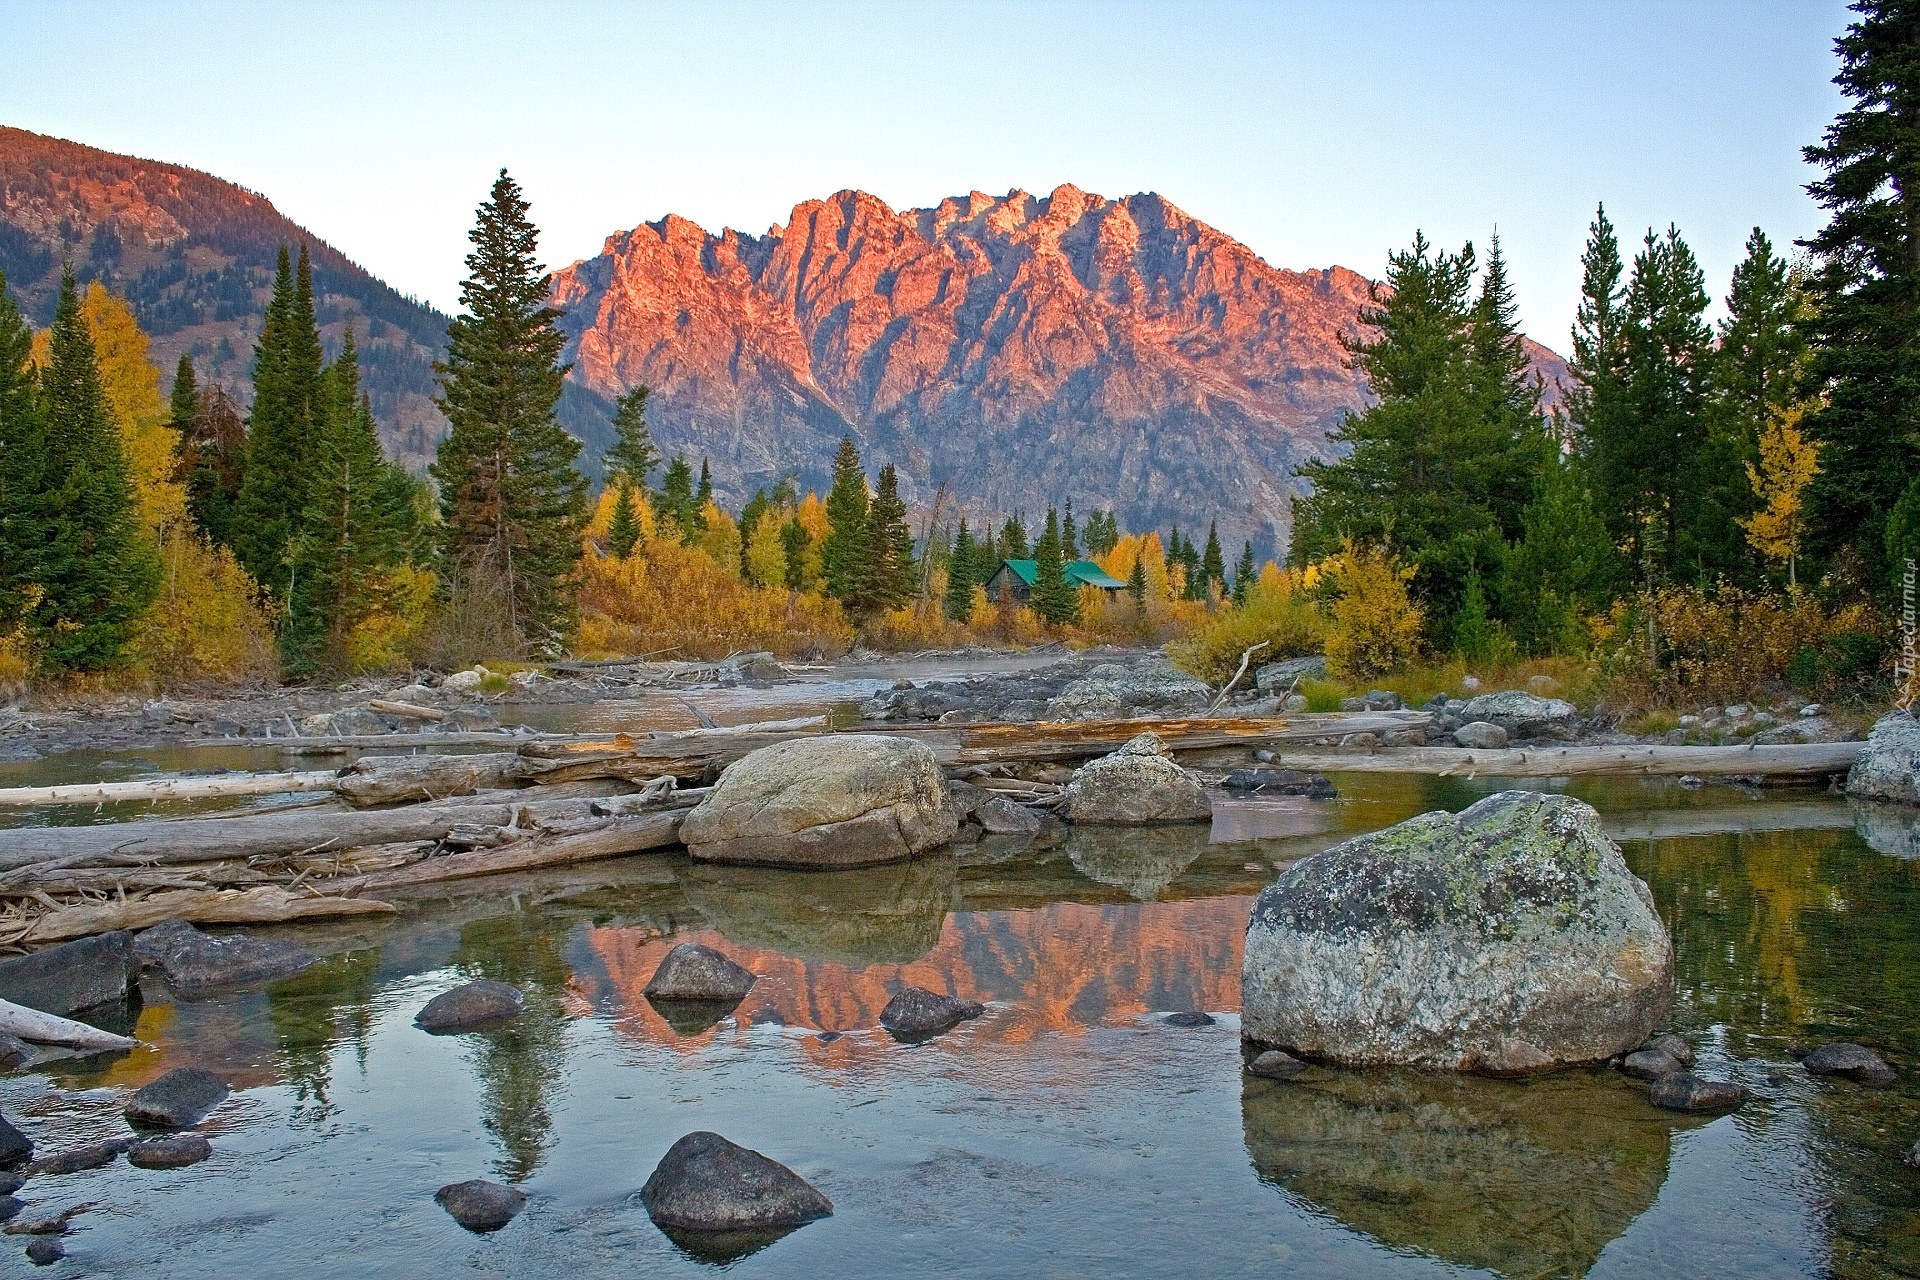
[1504, 939]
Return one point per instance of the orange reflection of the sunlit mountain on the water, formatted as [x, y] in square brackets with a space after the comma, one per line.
[1061, 968]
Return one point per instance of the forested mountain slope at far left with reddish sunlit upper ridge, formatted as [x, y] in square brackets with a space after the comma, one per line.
[195, 256]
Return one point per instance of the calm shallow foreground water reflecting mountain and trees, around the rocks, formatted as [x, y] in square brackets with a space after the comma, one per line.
[1068, 1133]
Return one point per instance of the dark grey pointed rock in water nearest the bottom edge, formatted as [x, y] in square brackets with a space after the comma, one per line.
[711, 1185]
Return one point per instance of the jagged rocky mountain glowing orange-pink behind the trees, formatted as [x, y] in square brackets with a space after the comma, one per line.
[1019, 350]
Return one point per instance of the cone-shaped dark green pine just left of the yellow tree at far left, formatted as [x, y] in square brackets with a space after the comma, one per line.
[93, 569]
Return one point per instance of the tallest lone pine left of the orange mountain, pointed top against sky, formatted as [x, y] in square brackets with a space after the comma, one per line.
[510, 496]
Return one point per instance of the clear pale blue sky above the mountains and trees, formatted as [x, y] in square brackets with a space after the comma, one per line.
[1314, 133]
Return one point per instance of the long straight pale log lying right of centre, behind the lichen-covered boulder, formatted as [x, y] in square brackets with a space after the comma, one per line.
[1813, 759]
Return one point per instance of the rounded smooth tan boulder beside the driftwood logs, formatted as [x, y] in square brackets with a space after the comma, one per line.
[830, 801]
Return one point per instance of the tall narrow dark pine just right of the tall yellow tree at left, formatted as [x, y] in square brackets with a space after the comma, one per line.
[287, 391]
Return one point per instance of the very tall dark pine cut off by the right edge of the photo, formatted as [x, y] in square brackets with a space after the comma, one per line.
[1867, 296]
